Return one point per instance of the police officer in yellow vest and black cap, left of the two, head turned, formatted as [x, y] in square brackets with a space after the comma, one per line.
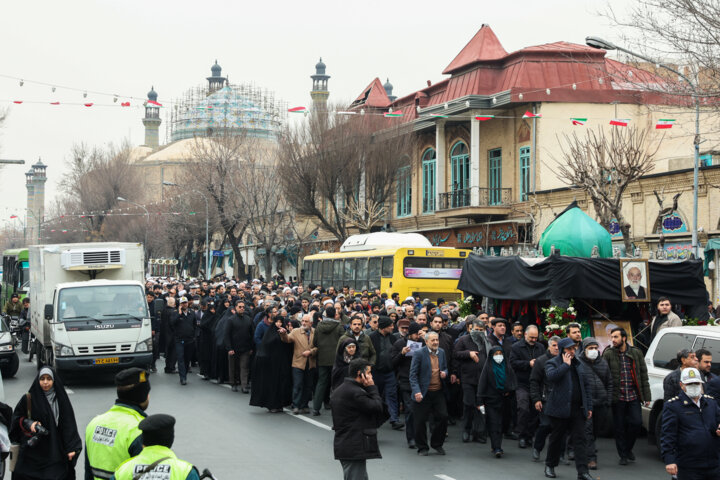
[113, 437]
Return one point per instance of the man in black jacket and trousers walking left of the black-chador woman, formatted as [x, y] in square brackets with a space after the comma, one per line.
[239, 344]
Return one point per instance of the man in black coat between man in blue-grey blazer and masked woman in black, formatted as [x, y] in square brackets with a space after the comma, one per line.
[469, 356]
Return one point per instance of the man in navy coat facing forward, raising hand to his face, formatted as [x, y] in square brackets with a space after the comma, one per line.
[569, 404]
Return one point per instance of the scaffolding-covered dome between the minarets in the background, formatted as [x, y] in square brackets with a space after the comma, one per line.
[243, 109]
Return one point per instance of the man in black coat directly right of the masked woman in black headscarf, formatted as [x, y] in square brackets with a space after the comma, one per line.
[522, 358]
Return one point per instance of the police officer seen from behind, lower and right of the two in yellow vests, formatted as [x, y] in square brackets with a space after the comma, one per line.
[156, 457]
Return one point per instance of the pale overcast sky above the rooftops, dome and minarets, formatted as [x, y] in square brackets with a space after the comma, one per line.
[125, 47]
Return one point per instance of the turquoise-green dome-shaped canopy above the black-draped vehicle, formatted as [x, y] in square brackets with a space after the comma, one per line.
[575, 234]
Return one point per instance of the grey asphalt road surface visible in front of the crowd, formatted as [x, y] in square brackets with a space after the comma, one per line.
[217, 429]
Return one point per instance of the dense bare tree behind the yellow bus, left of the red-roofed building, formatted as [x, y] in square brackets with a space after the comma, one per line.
[341, 170]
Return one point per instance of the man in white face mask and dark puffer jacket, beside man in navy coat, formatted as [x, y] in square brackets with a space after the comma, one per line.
[598, 373]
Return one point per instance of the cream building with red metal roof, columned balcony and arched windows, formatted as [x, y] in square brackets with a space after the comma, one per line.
[484, 169]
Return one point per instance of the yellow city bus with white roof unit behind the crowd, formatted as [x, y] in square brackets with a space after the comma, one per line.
[375, 261]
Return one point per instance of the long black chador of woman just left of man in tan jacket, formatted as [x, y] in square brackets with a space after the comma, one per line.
[271, 372]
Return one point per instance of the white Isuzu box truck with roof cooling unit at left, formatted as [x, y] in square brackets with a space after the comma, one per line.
[89, 309]
